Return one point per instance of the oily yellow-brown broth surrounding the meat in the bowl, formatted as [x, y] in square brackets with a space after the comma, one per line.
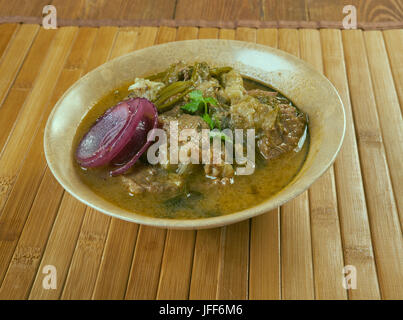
[246, 192]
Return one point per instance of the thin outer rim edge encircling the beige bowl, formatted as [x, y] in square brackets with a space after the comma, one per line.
[199, 223]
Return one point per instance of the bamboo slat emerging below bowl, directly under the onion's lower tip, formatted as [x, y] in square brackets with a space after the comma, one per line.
[121, 240]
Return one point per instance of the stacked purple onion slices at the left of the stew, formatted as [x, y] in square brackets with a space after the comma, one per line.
[119, 136]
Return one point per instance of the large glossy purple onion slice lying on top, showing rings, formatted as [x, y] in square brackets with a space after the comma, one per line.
[112, 132]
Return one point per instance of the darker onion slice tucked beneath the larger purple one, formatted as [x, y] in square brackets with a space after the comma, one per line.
[149, 122]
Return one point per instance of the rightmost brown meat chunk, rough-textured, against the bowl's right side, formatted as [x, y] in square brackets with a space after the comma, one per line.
[285, 135]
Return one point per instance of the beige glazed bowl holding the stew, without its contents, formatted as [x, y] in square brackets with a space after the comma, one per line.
[308, 89]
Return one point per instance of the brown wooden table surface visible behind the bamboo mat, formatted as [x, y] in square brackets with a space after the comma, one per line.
[369, 12]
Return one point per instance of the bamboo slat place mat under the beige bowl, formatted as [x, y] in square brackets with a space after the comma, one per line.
[351, 216]
